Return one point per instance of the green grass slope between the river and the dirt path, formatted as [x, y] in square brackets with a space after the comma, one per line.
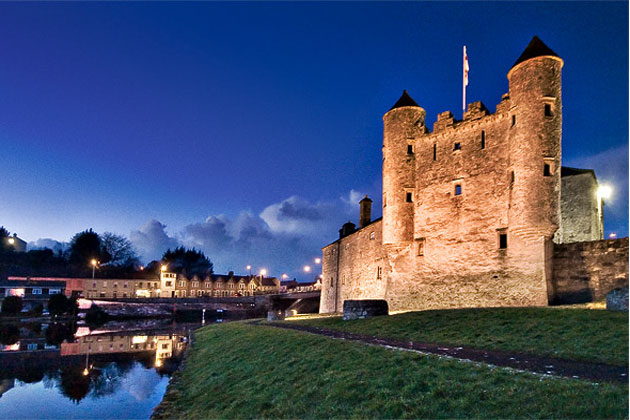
[244, 371]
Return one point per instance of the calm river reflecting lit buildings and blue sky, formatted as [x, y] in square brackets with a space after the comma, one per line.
[117, 371]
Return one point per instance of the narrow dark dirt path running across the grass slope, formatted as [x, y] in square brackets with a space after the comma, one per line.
[595, 372]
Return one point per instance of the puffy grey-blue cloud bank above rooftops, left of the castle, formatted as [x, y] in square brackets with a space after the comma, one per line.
[283, 238]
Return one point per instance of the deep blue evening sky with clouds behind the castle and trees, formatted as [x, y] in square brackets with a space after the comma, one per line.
[251, 130]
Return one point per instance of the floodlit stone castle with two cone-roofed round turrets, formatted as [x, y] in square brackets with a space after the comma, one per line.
[471, 209]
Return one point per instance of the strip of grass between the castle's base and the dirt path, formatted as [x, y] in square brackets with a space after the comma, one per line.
[577, 334]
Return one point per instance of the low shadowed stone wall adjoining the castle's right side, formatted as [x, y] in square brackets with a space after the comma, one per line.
[587, 271]
